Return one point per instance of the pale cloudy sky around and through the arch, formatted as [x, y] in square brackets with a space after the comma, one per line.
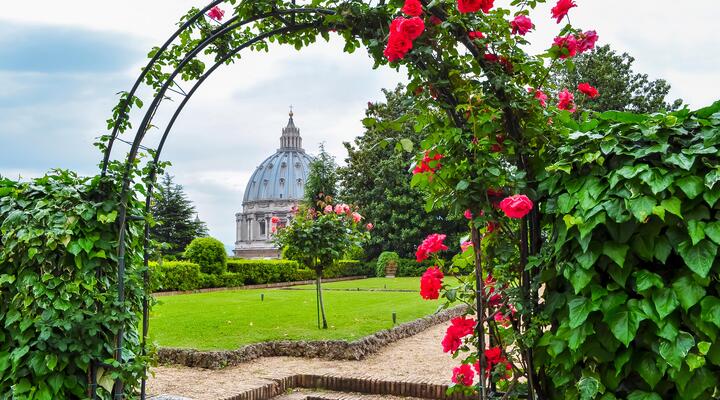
[61, 64]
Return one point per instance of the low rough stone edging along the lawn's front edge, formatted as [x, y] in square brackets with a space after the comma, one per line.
[327, 349]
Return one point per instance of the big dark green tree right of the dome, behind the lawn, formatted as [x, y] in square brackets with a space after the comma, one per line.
[377, 178]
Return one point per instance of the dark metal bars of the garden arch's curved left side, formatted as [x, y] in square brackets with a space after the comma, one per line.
[288, 21]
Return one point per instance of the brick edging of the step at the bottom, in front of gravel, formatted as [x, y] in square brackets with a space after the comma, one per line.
[365, 385]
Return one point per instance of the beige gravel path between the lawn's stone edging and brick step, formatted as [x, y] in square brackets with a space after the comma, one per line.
[417, 357]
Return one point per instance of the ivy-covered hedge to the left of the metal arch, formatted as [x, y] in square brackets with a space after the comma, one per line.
[58, 234]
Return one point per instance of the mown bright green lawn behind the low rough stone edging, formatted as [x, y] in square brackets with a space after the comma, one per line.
[229, 319]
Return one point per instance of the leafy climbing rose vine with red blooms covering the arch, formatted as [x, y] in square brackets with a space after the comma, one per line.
[484, 104]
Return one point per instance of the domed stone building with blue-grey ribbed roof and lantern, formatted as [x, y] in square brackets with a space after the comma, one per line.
[276, 186]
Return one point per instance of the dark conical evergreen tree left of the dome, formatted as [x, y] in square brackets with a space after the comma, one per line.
[177, 223]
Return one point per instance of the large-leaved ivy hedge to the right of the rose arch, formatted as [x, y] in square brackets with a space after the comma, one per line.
[632, 291]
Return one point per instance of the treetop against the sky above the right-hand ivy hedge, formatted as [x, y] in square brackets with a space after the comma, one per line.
[621, 88]
